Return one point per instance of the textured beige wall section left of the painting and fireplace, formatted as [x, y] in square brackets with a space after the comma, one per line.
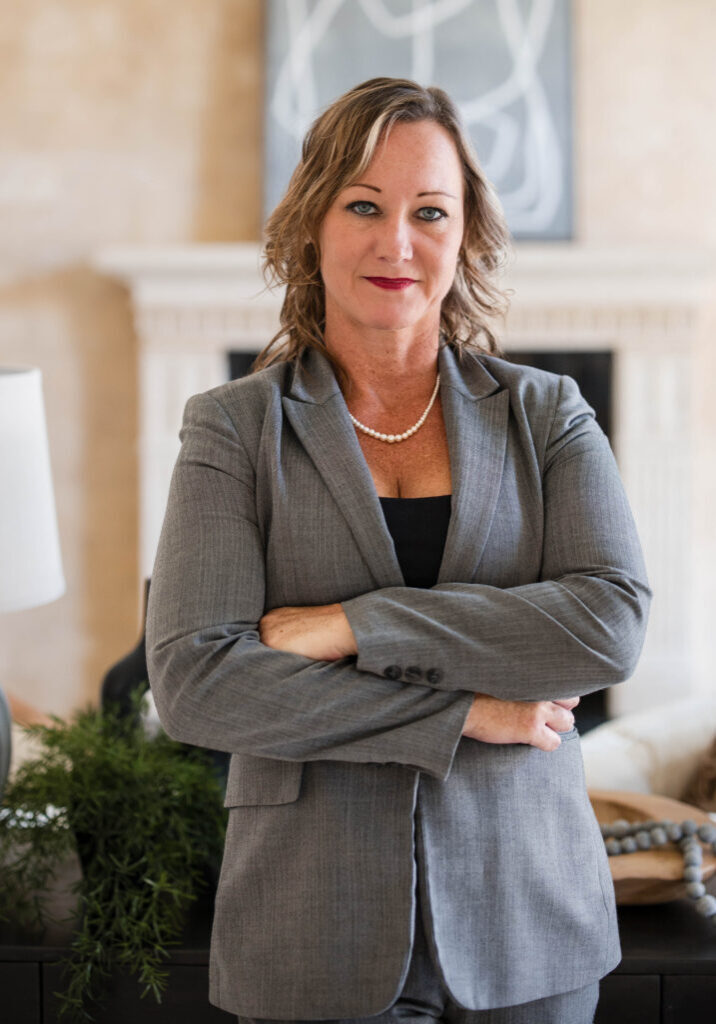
[121, 121]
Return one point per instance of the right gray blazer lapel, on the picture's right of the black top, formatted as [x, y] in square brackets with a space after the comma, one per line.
[476, 414]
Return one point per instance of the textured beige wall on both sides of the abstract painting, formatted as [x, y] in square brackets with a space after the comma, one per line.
[139, 121]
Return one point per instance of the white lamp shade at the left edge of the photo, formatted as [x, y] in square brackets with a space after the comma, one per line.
[31, 569]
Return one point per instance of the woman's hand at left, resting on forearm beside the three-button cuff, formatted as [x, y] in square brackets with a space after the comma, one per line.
[321, 632]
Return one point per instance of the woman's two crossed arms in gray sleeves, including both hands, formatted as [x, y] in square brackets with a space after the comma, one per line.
[226, 675]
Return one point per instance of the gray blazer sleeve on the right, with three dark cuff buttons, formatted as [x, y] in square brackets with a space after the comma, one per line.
[579, 628]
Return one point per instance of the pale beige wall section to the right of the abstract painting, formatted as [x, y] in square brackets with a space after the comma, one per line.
[646, 96]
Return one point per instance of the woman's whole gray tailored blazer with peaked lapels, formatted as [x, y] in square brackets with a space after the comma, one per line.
[350, 781]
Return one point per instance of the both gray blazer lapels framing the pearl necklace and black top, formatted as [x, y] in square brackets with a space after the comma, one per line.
[476, 412]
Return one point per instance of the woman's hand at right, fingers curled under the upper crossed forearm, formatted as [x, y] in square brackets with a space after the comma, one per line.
[535, 722]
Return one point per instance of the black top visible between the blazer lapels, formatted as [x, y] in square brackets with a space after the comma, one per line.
[419, 529]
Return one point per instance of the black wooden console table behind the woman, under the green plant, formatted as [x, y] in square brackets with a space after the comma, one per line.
[667, 976]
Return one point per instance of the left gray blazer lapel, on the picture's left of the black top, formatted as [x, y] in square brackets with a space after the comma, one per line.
[318, 413]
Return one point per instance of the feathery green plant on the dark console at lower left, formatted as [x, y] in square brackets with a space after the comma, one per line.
[146, 818]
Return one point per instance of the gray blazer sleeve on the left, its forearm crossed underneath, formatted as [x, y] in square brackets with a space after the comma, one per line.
[215, 684]
